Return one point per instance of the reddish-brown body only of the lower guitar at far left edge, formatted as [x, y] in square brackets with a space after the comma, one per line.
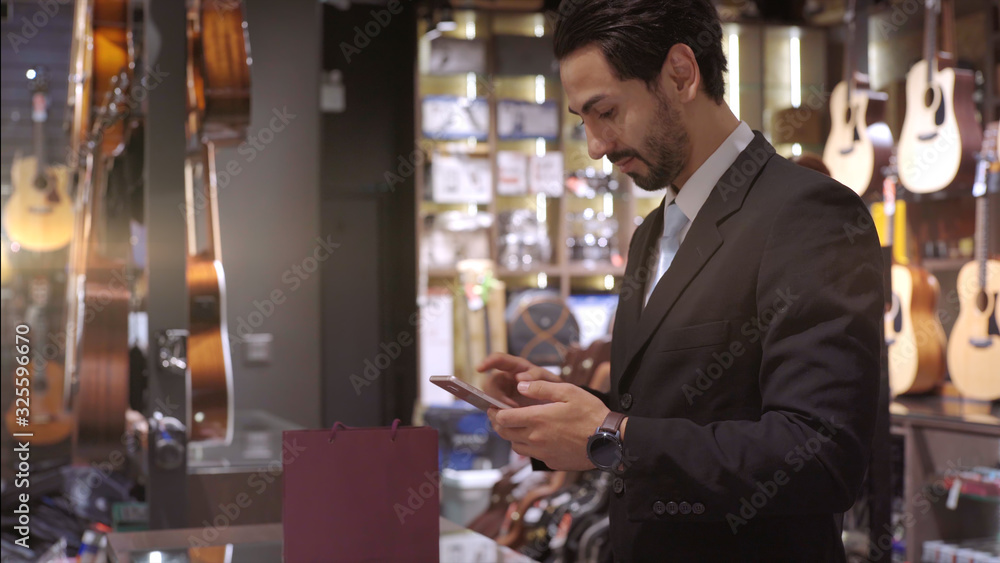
[49, 423]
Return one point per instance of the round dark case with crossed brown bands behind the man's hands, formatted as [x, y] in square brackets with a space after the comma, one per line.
[540, 327]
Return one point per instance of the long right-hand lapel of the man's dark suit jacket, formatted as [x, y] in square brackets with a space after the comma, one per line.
[701, 242]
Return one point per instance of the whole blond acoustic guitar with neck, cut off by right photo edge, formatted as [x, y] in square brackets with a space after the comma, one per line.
[974, 346]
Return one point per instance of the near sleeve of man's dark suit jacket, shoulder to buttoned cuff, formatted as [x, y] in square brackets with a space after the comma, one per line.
[819, 379]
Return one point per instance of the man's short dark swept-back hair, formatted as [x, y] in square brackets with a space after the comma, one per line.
[636, 35]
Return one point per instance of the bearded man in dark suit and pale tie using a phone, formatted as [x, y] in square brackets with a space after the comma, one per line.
[746, 347]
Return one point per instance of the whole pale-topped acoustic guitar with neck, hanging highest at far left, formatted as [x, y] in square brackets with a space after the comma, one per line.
[39, 214]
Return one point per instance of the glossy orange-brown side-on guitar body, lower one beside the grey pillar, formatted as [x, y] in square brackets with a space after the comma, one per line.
[208, 352]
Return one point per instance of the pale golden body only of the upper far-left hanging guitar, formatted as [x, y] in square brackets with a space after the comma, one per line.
[39, 219]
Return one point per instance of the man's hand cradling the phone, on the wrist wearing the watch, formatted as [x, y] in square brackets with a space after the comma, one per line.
[555, 432]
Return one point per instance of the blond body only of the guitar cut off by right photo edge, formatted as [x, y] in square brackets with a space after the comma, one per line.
[974, 349]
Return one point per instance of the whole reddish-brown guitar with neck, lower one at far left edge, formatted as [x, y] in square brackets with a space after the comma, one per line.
[43, 407]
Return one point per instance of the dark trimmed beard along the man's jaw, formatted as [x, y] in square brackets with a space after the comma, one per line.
[666, 148]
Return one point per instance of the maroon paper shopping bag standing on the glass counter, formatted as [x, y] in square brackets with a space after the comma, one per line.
[361, 494]
